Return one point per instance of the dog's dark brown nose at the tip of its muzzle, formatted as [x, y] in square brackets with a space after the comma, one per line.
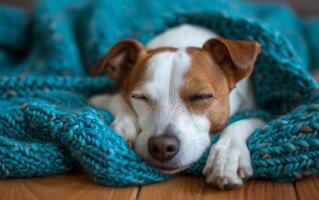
[163, 147]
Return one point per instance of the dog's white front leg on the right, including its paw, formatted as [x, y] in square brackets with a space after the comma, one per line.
[228, 163]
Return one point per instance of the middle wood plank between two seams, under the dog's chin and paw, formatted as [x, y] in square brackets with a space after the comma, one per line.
[195, 188]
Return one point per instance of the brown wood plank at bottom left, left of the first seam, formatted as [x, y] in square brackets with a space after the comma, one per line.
[73, 186]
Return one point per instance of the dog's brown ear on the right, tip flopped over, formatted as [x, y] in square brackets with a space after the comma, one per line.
[237, 58]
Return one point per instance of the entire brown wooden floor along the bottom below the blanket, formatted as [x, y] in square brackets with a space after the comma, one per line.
[77, 186]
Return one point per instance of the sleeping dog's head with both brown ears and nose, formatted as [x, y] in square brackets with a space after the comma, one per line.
[179, 95]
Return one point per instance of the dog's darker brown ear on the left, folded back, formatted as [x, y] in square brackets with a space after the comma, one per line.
[120, 59]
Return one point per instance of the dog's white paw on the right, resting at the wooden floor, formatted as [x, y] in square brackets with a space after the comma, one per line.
[228, 165]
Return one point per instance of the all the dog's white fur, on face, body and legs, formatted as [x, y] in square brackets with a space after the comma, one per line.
[229, 160]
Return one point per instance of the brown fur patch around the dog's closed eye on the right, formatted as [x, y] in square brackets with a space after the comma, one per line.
[206, 77]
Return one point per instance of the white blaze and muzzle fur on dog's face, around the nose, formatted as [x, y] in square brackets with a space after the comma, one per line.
[165, 73]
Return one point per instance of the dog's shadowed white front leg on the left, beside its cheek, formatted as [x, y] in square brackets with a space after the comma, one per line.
[125, 119]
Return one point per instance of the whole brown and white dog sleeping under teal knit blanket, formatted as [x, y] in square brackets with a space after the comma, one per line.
[177, 90]
